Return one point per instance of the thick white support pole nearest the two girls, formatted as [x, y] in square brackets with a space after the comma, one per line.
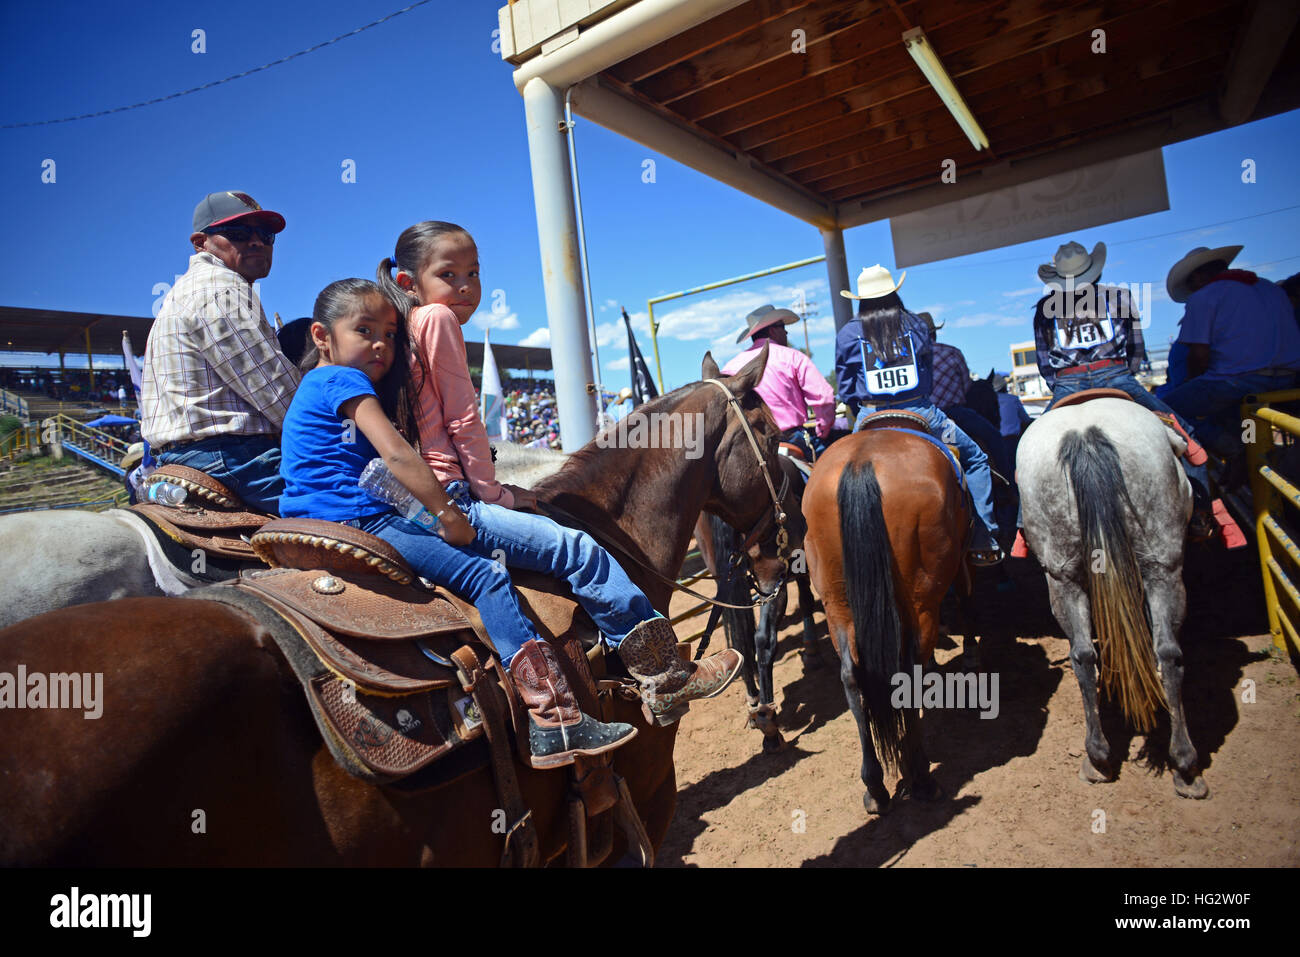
[557, 233]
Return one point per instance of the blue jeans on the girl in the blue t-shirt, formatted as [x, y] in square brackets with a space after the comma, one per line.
[478, 581]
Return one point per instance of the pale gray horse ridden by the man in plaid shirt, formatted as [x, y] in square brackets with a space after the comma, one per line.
[55, 558]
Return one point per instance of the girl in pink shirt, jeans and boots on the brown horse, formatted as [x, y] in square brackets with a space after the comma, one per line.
[436, 270]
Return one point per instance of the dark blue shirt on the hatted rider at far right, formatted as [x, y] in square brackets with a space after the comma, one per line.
[1247, 327]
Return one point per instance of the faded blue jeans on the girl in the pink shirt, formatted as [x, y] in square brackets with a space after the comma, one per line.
[523, 540]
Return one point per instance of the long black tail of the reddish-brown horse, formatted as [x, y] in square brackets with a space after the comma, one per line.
[870, 591]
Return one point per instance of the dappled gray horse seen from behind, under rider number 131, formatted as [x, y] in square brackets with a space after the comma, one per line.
[1106, 508]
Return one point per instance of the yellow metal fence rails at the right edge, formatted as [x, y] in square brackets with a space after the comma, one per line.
[1271, 495]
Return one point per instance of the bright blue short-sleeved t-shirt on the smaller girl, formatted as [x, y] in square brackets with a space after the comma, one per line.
[322, 457]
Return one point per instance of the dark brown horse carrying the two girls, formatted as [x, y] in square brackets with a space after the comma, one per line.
[206, 752]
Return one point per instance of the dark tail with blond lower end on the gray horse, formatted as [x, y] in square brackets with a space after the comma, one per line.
[1116, 594]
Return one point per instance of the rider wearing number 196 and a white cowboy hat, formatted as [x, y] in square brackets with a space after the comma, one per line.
[883, 361]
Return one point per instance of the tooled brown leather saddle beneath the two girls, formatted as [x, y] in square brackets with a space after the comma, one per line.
[400, 677]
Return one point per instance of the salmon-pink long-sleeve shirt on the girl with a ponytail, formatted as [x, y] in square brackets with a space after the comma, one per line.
[453, 439]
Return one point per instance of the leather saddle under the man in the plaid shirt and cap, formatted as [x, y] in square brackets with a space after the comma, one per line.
[213, 518]
